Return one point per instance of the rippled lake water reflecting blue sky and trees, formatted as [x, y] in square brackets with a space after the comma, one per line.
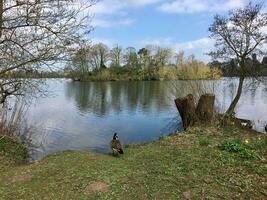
[84, 115]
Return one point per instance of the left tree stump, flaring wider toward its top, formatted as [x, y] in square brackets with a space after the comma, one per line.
[186, 107]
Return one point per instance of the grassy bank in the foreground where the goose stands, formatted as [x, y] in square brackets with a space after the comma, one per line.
[204, 162]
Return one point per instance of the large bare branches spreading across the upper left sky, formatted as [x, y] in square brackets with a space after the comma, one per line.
[34, 34]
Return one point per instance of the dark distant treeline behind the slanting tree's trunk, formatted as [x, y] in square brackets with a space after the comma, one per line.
[253, 66]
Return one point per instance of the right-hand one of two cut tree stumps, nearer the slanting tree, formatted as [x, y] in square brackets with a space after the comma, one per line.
[205, 107]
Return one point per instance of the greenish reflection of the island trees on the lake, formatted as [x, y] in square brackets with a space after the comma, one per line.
[118, 97]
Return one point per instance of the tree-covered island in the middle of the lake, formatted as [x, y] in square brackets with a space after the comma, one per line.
[98, 62]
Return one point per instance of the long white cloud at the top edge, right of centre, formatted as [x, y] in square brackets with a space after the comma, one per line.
[194, 6]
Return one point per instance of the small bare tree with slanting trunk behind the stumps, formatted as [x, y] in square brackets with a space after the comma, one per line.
[239, 36]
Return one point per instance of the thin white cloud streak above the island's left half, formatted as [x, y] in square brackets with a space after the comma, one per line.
[107, 23]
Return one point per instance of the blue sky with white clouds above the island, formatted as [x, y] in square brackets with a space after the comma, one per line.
[178, 24]
